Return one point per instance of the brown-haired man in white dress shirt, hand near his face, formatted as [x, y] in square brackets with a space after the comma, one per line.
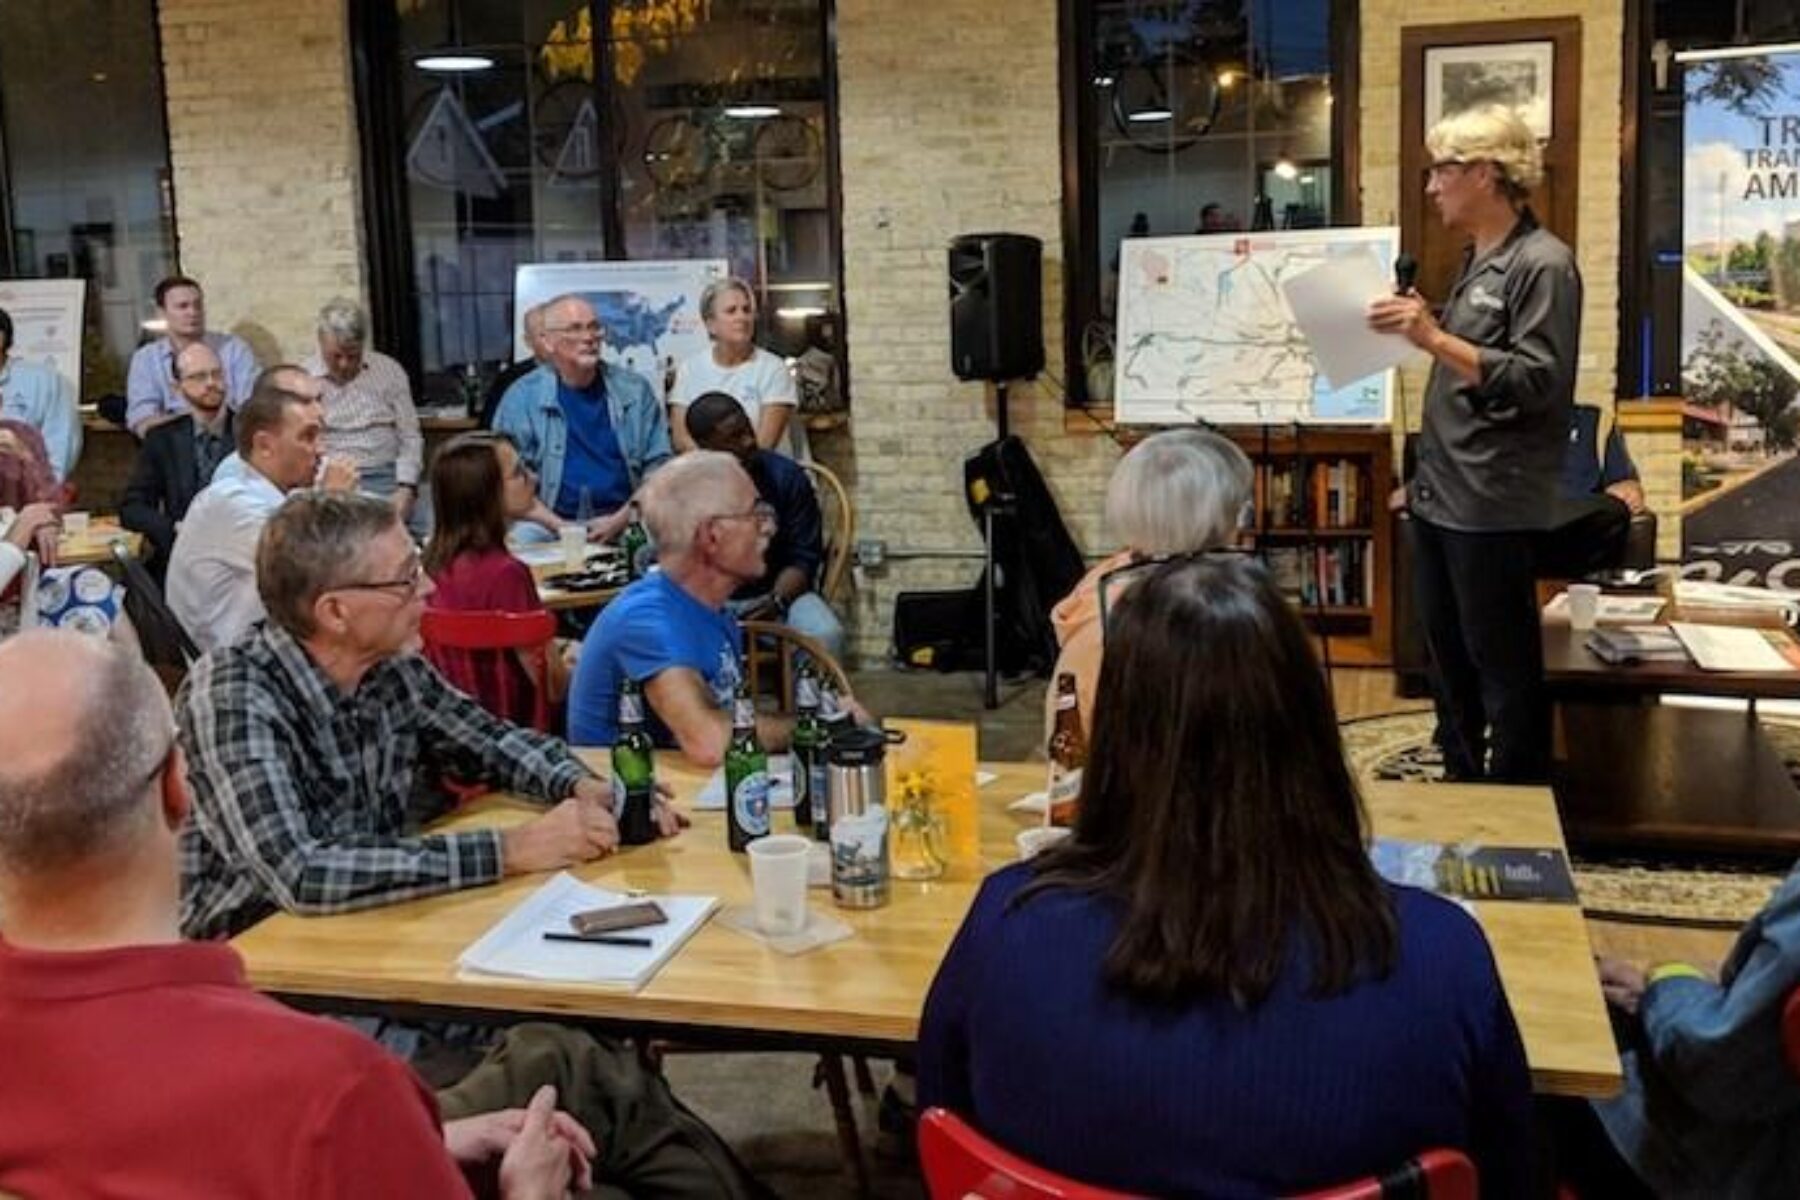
[213, 564]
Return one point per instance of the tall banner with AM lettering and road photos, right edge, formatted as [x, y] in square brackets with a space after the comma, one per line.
[1741, 319]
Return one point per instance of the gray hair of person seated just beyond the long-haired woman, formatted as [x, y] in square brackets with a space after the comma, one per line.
[1180, 492]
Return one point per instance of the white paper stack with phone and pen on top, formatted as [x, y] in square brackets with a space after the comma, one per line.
[517, 945]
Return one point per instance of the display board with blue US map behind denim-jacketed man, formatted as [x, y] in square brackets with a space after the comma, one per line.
[651, 310]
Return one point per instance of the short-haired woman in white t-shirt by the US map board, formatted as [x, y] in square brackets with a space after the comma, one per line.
[735, 366]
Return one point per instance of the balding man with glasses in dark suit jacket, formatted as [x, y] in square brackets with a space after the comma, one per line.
[179, 456]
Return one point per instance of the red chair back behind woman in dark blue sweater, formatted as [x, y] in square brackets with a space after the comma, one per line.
[962, 1165]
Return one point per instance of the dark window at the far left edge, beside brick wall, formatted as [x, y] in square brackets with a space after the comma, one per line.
[85, 165]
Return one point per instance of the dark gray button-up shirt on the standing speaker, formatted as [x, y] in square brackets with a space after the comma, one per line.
[1491, 452]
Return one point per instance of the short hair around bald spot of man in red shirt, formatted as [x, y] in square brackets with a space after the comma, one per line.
[91, 803]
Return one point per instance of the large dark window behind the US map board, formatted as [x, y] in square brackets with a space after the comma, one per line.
[557, 132]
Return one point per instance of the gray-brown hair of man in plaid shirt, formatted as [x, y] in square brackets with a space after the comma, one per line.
[312, 544]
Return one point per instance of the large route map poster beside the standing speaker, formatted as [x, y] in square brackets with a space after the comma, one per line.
[1207, 332]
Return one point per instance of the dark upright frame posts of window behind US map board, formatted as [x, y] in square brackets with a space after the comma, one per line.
[386, 199]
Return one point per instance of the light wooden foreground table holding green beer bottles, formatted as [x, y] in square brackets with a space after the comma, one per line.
[867, 992]
